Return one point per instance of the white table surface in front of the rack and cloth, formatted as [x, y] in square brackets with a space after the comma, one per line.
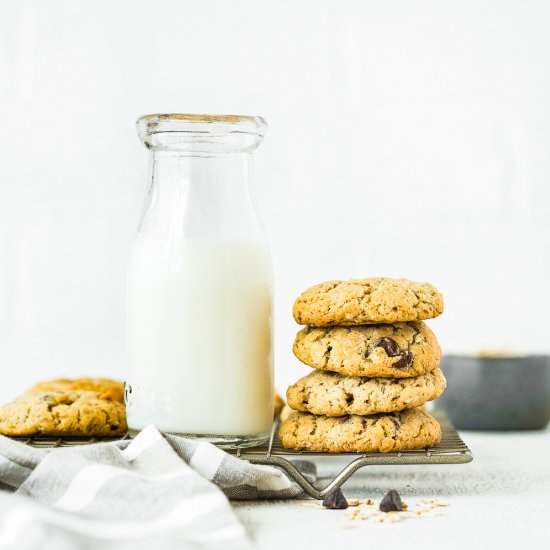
[500, 500]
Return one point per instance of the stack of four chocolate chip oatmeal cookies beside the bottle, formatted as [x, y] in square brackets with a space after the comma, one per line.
[376, 365]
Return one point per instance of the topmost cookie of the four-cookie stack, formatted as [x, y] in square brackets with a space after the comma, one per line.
[367, 301]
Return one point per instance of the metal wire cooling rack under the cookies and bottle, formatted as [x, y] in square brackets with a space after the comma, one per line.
[451, 450]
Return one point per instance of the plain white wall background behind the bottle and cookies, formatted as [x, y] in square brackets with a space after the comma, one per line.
[406, 139]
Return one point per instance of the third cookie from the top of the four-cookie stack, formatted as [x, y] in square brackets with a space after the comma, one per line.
[331, 394]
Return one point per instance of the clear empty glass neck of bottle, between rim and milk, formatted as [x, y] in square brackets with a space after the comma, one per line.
[201, 196]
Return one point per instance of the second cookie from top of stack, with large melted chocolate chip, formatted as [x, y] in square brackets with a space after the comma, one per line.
[400, 350]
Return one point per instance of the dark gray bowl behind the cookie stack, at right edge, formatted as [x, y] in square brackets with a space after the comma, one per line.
[497, 393]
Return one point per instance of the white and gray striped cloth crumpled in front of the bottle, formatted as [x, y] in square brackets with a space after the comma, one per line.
[128, 494]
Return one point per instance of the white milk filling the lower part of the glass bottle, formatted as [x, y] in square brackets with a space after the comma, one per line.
[199, 335]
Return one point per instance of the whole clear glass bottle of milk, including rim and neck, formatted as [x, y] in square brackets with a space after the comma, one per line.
[199, 299]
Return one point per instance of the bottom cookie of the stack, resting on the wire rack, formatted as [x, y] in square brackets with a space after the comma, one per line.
[386, 432]
